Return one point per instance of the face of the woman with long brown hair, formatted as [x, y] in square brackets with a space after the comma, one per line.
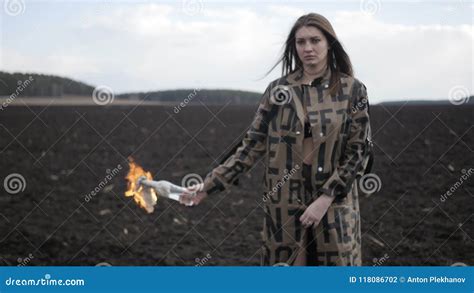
[311, 46]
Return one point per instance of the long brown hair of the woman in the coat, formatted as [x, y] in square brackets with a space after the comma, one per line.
[338, 60]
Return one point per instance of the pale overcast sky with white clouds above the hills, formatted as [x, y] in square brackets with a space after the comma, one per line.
[400, 49]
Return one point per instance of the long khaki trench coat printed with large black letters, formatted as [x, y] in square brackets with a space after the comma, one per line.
[341, 135]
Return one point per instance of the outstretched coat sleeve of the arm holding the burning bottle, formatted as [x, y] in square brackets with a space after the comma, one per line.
[252, 147]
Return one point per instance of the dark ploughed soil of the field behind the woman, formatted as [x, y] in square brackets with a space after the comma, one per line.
[64, 153]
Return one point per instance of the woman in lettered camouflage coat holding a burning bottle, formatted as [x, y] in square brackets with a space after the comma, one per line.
[312, 129]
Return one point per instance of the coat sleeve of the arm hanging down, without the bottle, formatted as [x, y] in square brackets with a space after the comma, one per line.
[355, 155]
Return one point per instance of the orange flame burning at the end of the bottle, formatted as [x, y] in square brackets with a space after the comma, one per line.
[144, 197]
